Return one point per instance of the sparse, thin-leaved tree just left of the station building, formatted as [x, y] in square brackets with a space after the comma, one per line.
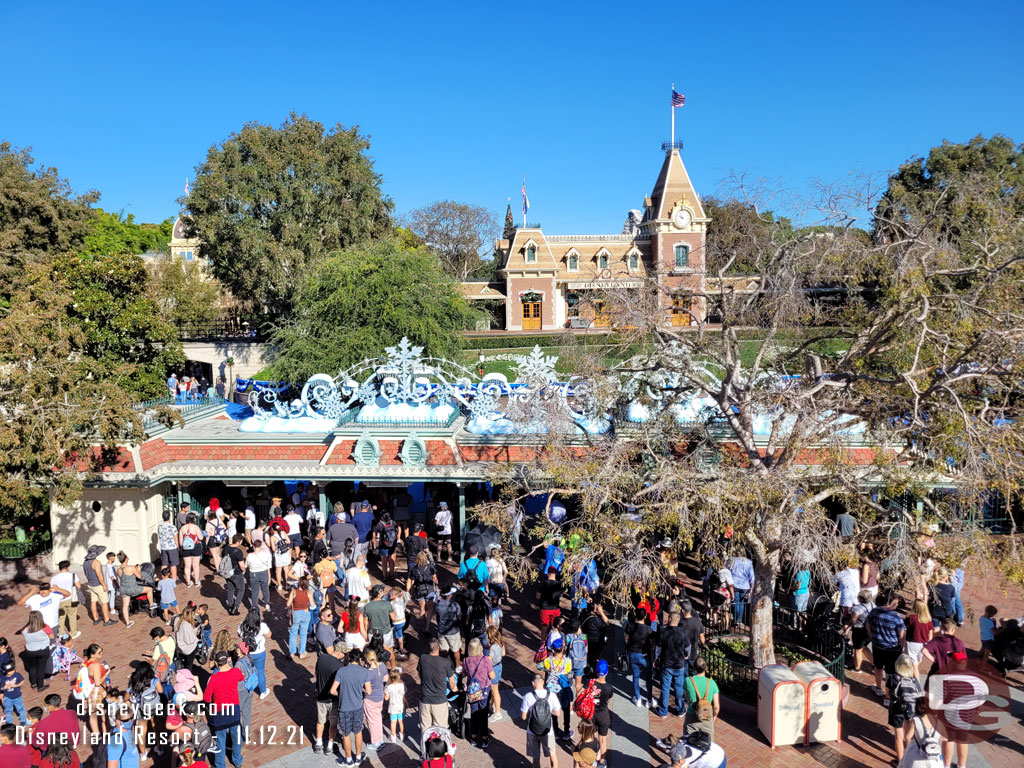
[458, 233]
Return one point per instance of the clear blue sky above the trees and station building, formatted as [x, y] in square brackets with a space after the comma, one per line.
[460, 100]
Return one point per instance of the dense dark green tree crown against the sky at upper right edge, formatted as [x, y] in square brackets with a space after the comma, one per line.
[956, 190]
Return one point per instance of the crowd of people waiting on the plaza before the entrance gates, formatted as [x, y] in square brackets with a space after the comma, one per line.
[189, 699]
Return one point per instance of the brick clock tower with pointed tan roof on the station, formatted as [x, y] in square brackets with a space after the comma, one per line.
[677, 226]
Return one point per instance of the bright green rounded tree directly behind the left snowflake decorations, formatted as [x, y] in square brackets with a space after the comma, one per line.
[357, 297]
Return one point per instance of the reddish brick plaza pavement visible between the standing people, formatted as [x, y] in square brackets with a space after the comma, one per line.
[279, 720]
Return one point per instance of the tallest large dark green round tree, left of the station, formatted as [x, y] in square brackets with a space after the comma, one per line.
[269, 203]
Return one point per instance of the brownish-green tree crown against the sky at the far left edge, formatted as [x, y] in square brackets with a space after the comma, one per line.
[39, 217]
